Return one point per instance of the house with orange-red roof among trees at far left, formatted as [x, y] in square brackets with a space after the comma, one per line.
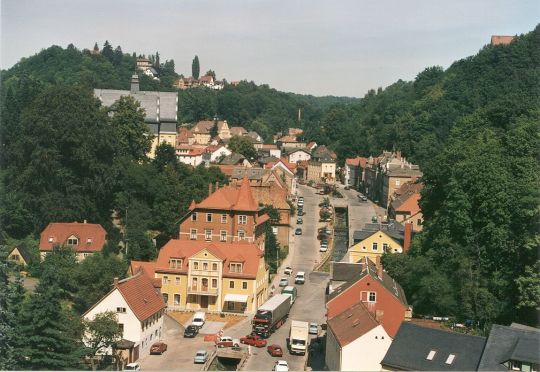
[85, 238]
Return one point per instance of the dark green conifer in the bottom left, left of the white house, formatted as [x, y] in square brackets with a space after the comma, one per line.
[52, 335]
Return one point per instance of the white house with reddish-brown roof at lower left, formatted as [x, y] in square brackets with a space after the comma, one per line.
[139, 308]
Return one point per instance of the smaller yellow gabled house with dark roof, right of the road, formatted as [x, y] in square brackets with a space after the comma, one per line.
[373, 244]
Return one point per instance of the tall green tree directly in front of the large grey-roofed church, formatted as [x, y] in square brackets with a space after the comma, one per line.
[132, 135]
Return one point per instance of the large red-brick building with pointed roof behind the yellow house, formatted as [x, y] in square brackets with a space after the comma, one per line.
[229, 214]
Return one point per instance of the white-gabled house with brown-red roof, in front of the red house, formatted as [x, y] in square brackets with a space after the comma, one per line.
[355, 341]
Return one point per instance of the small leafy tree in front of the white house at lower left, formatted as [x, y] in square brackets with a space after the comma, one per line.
[101, 333]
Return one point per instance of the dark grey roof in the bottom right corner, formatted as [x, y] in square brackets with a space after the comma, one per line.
[517, 342]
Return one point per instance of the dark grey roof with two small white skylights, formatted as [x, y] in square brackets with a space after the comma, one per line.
[412, 345]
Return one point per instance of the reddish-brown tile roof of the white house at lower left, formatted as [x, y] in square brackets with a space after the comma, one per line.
[141, 296]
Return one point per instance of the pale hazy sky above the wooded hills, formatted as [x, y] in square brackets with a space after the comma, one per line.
[319, 47]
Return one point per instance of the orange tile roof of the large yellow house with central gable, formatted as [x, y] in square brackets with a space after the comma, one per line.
[242, 251]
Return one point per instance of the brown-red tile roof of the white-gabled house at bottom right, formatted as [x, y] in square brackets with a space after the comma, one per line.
[351, 324]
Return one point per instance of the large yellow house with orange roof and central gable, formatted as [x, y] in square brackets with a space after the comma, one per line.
[212, 276]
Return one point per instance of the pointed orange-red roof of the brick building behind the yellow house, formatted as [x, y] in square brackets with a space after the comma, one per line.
[231, 198]
